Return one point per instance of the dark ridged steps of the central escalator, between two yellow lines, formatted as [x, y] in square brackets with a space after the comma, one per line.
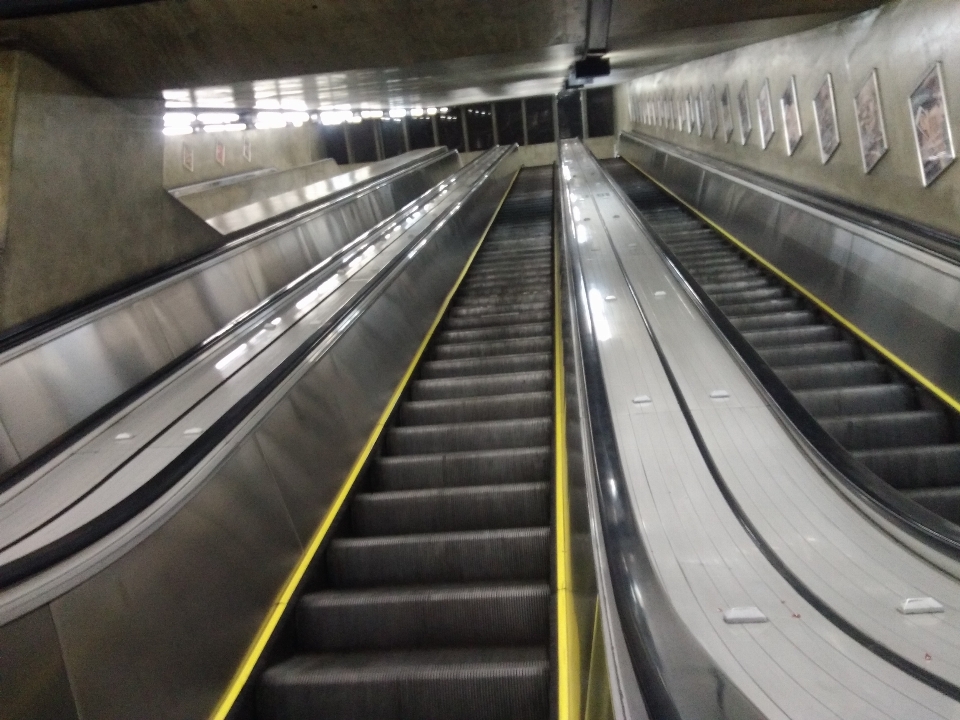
[434, 599]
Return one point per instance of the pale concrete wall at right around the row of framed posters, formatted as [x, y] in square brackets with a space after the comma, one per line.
[902, 41]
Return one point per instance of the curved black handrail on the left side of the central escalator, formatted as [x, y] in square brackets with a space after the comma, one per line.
[174, 472]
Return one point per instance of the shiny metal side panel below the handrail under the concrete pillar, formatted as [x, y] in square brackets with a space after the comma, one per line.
[51, 383]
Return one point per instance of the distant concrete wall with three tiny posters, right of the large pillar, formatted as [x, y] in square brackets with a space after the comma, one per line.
[279, 148]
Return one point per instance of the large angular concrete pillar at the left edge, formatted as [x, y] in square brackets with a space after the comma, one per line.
[85, 204]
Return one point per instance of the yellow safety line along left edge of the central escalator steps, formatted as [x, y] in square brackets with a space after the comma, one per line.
[263, 635]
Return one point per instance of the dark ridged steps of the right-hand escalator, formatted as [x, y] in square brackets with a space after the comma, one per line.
[896, 428]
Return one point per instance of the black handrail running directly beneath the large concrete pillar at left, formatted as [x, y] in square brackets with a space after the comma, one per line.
[46, 322]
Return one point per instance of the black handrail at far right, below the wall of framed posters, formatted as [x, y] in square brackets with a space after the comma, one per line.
[929, 239]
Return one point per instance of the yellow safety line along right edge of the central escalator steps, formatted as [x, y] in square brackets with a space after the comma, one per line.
[568, 643]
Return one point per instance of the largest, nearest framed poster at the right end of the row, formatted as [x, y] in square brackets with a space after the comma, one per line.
[931, 126]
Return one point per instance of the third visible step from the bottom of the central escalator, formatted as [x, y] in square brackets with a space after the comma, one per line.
[454, 557]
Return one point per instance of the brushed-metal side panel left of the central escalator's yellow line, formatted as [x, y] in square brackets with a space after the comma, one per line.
[244, 511]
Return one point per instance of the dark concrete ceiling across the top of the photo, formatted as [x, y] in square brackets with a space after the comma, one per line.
[404, 52]
